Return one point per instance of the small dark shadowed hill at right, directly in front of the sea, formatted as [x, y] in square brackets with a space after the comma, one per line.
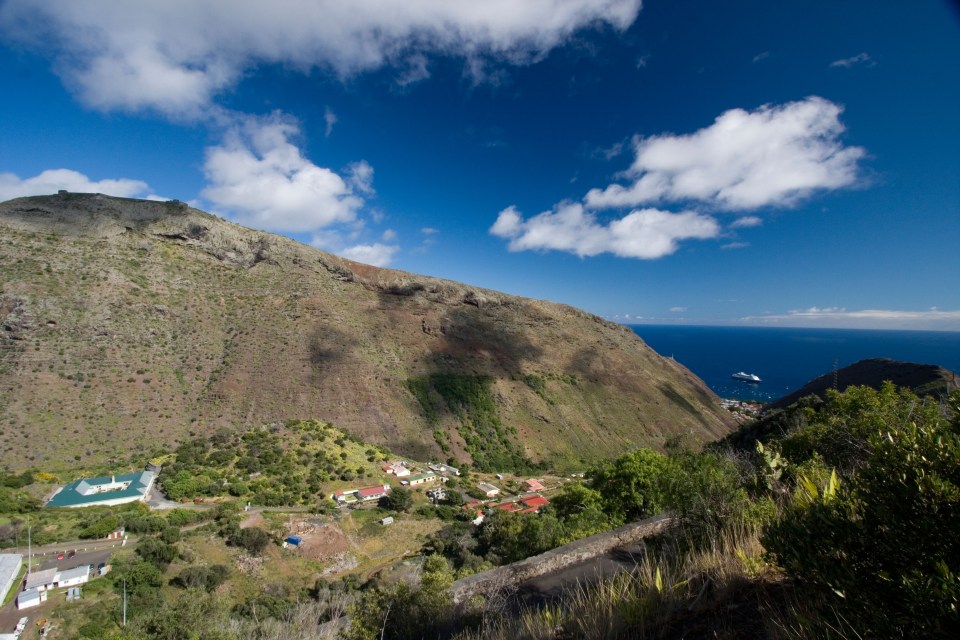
[922, 379]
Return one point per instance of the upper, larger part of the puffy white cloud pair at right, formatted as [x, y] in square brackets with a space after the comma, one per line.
[774, 156]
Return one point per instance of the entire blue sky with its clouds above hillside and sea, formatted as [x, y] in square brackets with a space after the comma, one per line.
[788, 163]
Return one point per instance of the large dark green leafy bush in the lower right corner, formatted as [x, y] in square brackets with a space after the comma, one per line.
[881, 550]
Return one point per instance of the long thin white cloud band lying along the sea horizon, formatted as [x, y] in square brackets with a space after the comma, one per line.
[838, 317]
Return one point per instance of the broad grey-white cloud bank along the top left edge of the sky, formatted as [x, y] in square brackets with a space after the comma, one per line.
[176, 55]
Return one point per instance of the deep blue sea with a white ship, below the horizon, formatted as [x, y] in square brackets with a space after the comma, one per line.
[786, 359]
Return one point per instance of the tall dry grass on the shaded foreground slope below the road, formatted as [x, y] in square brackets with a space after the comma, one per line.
[721, 589]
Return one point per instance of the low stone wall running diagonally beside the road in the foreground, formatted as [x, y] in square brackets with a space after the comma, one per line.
[555, 559]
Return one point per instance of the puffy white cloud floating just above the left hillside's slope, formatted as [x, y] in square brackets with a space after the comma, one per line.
[259, 178]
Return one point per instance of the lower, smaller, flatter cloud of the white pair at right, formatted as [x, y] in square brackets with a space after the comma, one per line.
[646, 233]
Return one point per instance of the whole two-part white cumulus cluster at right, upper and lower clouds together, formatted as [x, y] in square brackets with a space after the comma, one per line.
[773, 156]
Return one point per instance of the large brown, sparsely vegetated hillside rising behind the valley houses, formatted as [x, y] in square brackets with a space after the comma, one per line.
[127, 324]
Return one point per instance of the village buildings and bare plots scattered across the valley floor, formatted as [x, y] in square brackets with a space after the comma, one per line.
[48, 577]
